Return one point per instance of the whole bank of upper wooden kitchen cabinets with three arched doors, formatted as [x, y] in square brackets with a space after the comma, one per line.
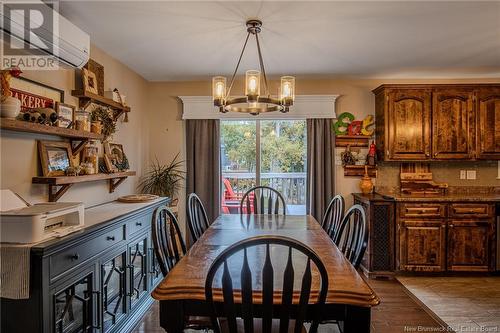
[437, 122]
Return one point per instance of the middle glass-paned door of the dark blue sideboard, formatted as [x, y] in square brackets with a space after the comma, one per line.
[113, 291]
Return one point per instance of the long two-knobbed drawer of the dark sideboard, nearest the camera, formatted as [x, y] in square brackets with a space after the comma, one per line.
[72, 257]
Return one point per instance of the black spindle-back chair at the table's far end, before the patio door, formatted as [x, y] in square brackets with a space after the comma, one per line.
[263, 200]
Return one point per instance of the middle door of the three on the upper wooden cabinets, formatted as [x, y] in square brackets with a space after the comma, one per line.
[453, 121]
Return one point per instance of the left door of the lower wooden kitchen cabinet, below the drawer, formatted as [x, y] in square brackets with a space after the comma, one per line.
[422, 245]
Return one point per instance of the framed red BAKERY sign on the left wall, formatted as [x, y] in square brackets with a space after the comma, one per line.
[33, 94]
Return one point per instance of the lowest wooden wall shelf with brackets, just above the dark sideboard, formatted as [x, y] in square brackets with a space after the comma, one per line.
[59, 185]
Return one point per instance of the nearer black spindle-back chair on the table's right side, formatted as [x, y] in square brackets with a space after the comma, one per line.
[352, 237]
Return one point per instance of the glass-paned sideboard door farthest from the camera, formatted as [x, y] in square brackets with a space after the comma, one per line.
[138, 270]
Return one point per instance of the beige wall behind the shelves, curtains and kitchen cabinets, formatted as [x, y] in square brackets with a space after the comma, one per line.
[155, 129]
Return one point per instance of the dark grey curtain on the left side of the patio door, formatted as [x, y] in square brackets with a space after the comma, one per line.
[203, 164]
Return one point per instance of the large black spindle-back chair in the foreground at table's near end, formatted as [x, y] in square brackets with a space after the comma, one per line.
[262, 316]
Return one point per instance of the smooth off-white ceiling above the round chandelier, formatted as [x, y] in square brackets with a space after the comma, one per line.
[174, 40]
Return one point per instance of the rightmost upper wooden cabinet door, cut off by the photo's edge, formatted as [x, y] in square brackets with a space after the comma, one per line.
[488, 123]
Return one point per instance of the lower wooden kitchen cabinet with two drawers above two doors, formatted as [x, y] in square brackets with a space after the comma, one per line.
[446, 236]
